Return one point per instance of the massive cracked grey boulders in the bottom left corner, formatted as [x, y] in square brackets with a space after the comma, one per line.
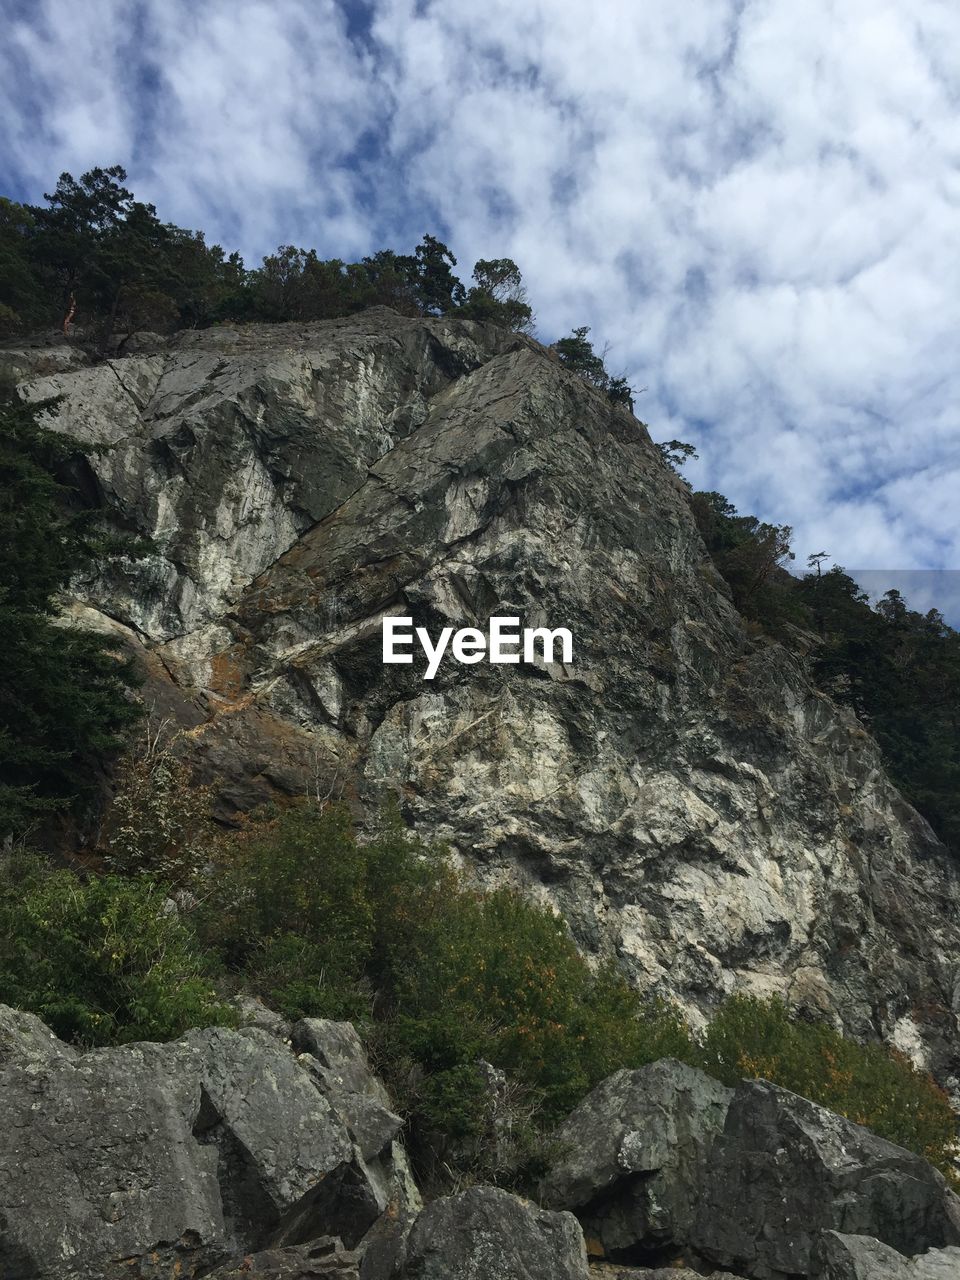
[157, 1160]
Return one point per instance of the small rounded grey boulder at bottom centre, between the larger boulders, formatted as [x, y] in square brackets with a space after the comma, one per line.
[488, 1235]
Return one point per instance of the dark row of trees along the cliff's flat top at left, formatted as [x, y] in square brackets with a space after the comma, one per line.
[99, 262]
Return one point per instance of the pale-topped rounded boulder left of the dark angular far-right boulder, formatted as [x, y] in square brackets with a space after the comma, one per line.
[636, 1154]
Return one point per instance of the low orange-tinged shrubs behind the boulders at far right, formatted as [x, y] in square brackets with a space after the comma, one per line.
[867, 1084]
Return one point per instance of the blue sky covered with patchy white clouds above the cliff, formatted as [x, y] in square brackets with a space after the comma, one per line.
[756, 203]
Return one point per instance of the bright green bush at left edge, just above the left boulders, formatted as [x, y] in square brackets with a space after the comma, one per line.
[102, 961]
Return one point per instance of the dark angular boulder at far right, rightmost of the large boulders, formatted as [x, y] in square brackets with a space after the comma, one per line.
[785, 1169]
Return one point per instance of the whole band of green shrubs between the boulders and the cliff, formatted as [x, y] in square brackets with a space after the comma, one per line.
[446, 982]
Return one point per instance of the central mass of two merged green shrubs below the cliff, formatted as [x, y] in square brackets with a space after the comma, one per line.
[314, 921]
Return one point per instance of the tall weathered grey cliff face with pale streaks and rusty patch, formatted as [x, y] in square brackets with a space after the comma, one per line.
[680, 790]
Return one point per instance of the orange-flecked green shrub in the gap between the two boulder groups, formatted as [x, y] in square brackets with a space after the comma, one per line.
[499, 979]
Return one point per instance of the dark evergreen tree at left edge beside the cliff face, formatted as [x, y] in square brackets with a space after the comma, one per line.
[63, 693]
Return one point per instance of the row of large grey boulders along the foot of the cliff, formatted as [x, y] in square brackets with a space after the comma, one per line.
[272, 1153]
